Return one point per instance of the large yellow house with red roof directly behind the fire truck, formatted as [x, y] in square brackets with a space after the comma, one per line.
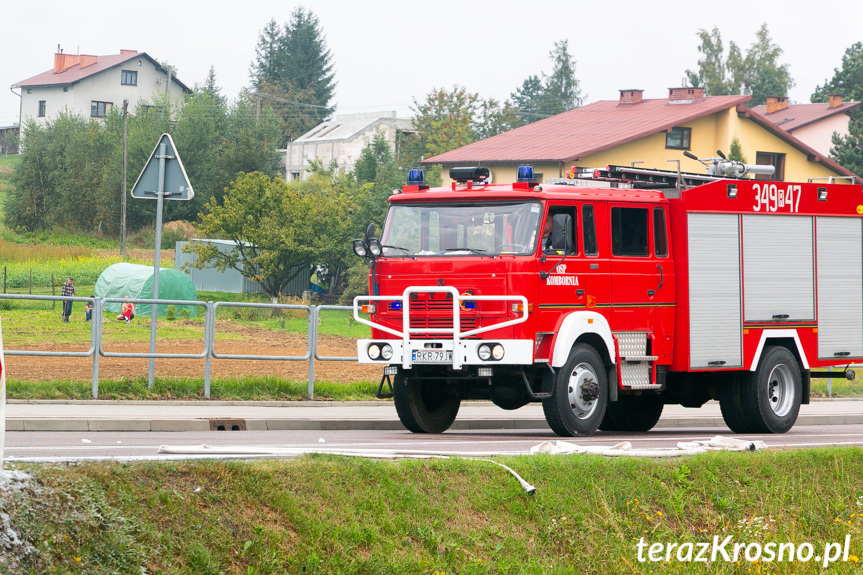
[652, 133]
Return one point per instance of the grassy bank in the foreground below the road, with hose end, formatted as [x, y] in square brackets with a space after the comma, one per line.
[328, 514]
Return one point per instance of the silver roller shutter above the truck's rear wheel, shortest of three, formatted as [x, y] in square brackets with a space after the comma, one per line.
[778, 270]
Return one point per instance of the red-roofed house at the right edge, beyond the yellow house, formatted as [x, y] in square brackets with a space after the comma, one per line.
[812, 123]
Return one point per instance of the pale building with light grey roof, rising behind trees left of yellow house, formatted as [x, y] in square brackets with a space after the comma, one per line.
[341, 139]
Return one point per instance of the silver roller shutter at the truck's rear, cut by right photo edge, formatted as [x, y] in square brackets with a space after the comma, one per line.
[840, 287]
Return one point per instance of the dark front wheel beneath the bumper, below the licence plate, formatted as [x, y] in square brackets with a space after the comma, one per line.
[425, 405]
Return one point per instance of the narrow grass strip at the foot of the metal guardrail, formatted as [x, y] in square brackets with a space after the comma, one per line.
[236, 389]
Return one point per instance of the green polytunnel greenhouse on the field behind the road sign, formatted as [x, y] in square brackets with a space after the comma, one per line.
[136, 281]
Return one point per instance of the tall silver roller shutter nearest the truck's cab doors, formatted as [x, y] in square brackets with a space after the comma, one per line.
[714, 291]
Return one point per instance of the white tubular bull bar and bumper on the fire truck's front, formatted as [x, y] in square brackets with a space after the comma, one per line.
[408, 344]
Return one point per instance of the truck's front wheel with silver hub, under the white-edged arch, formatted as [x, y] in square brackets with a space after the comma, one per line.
[577, 403]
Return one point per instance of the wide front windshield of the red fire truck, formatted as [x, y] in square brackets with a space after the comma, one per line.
[469, 229]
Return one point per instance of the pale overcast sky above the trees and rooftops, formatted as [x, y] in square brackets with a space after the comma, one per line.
[389, 52]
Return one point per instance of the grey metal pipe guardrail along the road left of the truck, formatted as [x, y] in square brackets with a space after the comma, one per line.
[209, 342]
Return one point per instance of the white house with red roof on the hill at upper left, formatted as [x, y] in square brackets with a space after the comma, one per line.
[90, 86]
